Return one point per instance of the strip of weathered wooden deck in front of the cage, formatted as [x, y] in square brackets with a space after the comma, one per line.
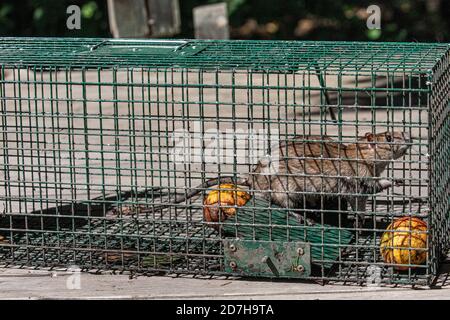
[40, 284]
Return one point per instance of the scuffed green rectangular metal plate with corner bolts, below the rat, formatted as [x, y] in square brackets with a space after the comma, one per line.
[274, 259]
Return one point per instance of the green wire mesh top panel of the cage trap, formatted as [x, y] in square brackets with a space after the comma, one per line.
[216, 54]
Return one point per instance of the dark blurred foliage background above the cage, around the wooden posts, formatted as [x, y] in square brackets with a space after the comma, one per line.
[401, 20]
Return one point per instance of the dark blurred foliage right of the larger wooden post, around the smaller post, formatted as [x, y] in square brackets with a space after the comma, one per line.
[401, 20]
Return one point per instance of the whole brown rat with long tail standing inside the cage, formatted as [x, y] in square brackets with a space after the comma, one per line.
[311, 166]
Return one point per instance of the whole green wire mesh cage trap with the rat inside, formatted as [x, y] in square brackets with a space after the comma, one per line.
[312, 160]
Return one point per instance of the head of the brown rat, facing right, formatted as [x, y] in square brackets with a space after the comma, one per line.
[389, 144]
